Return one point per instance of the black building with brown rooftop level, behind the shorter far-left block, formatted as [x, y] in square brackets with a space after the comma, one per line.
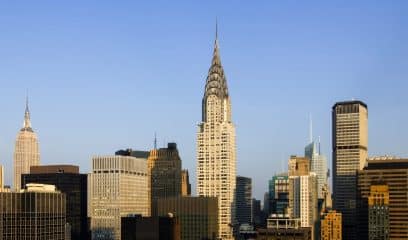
[68, 180]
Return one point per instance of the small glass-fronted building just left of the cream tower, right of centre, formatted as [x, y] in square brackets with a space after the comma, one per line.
[278, 194]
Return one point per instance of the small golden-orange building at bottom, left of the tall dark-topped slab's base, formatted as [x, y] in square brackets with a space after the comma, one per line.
[331, 226]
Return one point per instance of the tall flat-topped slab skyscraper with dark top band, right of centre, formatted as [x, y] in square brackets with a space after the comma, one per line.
[350, 140]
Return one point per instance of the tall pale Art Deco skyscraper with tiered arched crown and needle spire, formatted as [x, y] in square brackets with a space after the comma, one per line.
[216, 151]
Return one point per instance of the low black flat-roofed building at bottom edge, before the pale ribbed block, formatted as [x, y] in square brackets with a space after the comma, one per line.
[137, 227]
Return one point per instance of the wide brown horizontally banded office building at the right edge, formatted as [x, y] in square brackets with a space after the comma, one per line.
[392, 172]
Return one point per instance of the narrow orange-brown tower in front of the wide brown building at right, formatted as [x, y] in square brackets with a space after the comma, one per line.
[378, 213]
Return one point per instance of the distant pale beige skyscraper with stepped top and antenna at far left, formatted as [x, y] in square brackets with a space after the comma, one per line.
[26, 152]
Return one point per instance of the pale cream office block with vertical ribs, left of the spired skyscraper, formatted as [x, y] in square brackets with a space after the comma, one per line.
[117, 186]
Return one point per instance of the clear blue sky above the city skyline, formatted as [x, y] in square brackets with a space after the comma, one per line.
[105, 75]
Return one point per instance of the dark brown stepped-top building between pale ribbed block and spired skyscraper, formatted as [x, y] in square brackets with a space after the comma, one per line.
[164, 169]
